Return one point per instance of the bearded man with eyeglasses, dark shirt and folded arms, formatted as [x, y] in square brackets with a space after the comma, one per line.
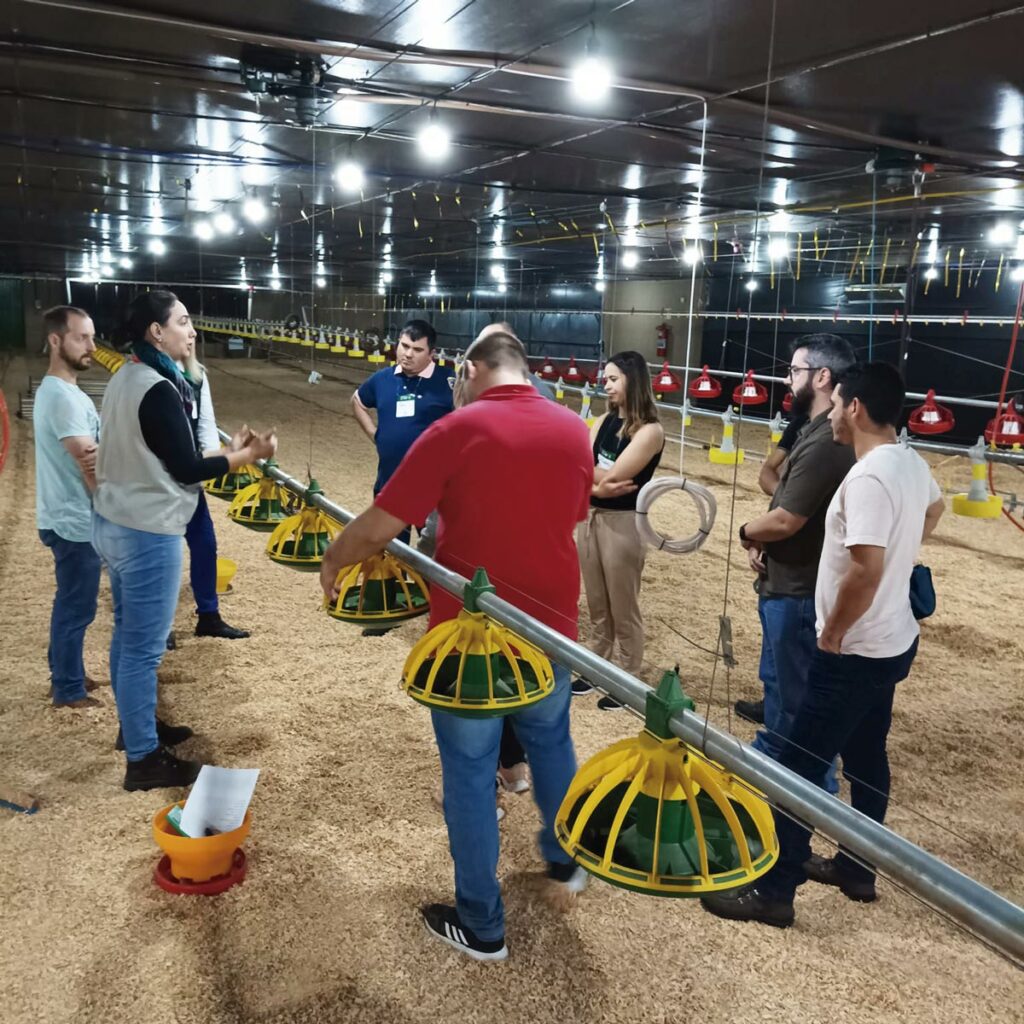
[784, 546]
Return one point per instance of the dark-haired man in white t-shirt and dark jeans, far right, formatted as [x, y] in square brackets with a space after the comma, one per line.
[868, 637]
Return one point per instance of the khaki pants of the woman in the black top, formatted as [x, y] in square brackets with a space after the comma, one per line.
[612, 559]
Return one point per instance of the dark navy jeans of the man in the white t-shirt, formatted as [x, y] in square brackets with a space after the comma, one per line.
[848, 711]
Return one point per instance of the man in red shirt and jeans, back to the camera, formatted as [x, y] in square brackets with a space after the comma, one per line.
[510, 475]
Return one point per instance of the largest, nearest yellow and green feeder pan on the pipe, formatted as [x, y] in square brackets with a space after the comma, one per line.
[653, 816]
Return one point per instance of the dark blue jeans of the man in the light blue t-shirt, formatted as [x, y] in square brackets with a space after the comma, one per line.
[74, 610]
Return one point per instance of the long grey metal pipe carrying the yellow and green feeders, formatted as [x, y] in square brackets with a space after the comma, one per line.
[980, 910]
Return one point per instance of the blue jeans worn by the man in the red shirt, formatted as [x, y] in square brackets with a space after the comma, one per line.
[470, 762]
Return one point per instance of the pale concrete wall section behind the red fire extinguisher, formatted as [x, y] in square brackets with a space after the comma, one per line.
[633, 310]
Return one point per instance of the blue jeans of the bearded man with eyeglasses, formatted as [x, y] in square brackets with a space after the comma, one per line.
[789, 644]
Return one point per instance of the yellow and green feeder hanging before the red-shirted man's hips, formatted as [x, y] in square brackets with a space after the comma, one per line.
[475, 668]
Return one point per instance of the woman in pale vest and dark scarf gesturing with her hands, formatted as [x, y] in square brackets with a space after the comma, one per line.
[148, 480]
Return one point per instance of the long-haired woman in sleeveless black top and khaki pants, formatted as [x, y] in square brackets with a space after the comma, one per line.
[628, 443]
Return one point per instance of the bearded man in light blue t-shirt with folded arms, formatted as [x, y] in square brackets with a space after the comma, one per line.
[67, 430]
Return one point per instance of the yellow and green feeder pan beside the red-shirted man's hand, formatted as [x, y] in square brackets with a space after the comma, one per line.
[378, 592]
